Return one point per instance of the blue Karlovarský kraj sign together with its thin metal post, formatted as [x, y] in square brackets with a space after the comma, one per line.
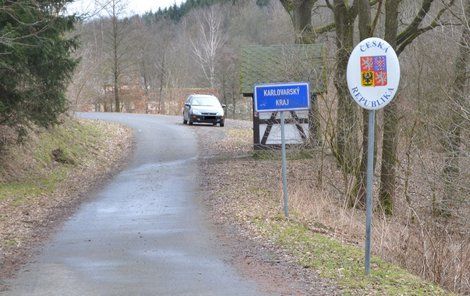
[280, 98]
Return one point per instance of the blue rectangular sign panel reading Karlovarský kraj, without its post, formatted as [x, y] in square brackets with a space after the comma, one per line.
[301, 101]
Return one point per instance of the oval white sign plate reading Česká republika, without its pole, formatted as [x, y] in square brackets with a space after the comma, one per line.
[373, 73]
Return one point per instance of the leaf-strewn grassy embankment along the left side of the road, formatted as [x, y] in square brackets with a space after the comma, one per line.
[43, 181]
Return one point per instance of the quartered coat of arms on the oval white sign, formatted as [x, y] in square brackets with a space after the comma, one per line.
[374, 71]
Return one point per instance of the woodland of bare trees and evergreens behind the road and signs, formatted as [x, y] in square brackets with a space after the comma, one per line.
[148, 63]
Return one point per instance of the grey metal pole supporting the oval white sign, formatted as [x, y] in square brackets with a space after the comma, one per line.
[370, 181]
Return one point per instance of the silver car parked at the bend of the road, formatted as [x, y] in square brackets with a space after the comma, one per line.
[203, 109]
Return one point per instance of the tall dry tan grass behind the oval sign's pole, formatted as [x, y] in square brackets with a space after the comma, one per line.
[406, 239]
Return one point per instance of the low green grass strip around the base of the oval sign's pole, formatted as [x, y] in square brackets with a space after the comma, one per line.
[344, 263]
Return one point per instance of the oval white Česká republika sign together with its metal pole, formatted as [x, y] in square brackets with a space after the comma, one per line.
[373, 76]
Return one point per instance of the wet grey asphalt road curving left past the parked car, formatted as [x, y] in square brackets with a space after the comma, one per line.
[143, 233]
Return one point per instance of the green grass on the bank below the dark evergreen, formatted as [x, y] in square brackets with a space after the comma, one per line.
[44, 173]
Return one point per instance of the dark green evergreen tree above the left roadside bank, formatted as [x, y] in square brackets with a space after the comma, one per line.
[35, 61]
